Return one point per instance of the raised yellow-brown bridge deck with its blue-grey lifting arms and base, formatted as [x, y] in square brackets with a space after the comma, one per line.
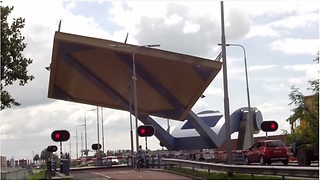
[97, 72]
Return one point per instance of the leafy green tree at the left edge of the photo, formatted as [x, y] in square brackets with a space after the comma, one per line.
[13, 63]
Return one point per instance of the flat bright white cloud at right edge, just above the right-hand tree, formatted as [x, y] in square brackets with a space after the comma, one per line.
[295, 46]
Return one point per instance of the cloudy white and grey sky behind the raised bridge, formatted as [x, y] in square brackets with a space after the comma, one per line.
[281, 39]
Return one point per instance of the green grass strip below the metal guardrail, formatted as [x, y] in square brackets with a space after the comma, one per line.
[216, 175]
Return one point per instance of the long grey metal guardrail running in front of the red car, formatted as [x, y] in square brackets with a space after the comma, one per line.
[309, 172]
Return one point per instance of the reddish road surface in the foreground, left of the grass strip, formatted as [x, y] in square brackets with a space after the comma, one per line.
[125, 173]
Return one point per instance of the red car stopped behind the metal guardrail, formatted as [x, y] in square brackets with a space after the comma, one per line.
[266, 152]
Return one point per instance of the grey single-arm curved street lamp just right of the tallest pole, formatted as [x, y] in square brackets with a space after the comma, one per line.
[247, 86]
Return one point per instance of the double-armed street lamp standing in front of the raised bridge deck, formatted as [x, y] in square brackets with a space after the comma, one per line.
[135, 100]
